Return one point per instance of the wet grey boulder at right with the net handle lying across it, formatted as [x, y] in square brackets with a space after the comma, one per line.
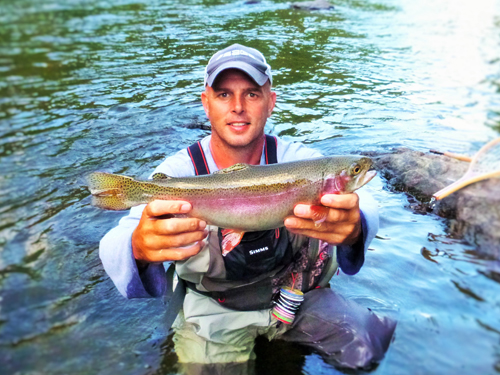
[473, 212]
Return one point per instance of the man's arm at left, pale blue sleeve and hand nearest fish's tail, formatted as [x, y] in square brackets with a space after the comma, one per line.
[133, 253]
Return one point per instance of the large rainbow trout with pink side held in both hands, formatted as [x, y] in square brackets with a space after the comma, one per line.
[243, 197]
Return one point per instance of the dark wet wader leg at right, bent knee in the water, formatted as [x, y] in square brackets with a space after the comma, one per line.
[345, 333]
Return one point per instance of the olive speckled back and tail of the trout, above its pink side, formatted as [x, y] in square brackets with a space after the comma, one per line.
[116, 192]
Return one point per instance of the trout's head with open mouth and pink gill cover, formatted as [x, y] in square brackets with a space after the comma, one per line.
[349, 174]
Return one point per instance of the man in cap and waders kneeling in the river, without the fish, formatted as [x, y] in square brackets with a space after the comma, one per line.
[229, 295]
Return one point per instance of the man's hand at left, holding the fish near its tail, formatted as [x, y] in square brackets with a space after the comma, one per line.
[159, 237]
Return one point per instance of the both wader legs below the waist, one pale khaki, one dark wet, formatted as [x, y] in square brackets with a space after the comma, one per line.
[343, 332]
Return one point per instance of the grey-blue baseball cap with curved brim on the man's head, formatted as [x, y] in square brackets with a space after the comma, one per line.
[239, 57]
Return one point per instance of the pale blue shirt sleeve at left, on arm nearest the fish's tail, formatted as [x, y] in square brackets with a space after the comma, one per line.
[115, 248]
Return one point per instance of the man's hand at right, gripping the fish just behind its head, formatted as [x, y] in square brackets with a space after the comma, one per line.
[337, 221]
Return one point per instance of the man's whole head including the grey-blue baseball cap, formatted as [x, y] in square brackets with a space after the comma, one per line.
[238, 97]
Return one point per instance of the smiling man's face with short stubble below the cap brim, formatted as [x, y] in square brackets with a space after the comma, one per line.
[237, 108]
